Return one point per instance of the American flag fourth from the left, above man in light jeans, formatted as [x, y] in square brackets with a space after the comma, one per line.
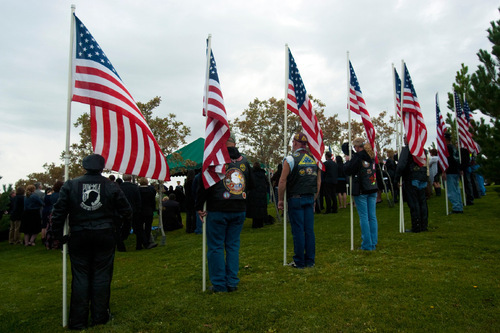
[358, 106]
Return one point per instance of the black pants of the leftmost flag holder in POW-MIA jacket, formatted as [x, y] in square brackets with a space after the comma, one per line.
[92, 253]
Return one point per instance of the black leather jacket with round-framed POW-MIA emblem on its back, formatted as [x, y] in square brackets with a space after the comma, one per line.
[91, 202]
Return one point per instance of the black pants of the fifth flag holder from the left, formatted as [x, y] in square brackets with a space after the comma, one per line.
[417, 202]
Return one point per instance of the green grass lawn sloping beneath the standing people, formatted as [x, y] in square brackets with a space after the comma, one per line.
[445, 280]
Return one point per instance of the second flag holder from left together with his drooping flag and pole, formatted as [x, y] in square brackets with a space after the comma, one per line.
[221, 201]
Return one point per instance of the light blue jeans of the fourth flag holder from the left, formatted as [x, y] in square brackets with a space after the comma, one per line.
[366, 205]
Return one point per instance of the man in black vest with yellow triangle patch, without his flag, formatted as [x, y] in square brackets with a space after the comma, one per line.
[302, 180]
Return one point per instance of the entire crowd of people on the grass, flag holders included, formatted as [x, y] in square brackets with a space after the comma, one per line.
[103, 211]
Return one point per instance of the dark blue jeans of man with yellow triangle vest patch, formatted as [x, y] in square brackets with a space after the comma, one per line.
[301, 212]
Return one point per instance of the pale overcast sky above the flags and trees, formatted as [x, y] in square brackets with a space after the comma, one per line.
[158, 49]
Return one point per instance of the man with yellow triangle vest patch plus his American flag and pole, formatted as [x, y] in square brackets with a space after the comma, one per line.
[300, 179]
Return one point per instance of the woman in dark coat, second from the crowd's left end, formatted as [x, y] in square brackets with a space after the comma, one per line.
[31, 222]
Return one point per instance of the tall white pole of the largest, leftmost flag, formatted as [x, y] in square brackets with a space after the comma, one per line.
[66, 163]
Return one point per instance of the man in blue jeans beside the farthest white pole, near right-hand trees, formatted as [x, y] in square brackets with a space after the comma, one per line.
[451, 176]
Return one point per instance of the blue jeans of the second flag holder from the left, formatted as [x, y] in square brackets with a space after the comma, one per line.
[223, 233]
